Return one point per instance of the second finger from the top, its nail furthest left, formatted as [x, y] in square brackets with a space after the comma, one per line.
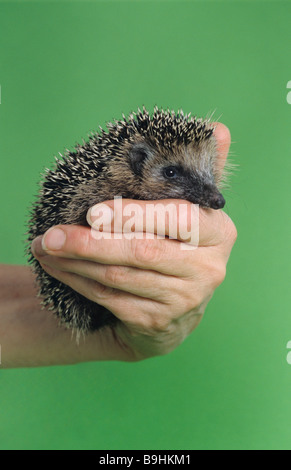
[80, 245]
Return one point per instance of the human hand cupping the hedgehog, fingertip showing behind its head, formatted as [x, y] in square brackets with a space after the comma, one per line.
[158, 291]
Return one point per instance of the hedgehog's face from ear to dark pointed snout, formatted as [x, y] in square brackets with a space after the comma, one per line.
[176, 174]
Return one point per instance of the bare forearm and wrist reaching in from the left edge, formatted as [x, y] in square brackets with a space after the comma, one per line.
[32, 337]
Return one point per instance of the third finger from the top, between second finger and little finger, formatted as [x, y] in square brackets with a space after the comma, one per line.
[166, 290]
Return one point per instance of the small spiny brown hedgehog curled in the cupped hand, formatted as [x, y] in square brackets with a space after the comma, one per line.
[144, 156]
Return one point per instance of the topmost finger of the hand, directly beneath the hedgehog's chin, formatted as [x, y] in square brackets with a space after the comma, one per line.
[177, 219]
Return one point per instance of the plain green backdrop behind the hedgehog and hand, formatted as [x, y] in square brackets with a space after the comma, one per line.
[68, 67]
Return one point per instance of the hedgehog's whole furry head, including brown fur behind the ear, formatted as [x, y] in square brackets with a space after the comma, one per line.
[181, 171]
